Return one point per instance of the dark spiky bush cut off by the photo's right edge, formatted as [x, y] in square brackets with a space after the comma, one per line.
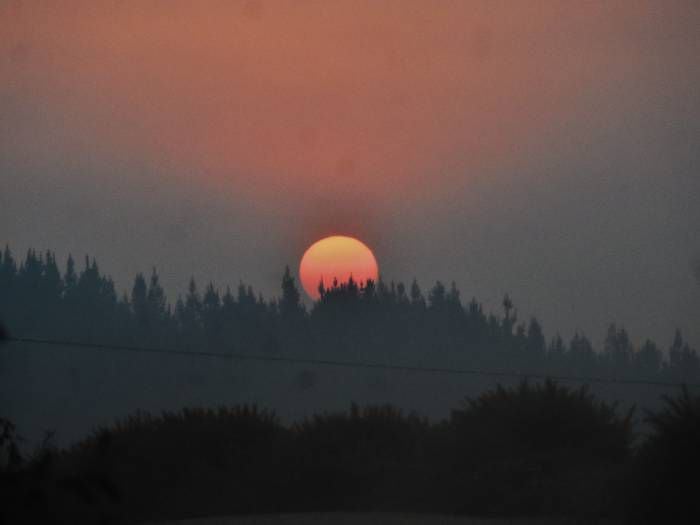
[668, 466]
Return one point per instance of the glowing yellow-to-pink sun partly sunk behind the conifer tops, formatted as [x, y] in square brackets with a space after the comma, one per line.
[336, 257]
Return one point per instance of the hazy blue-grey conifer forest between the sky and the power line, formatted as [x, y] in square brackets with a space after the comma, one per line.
[371, 321]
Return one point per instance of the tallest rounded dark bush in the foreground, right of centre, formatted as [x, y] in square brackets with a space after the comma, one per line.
[542, 449]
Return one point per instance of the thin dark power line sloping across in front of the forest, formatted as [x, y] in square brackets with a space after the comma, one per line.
[348, 364]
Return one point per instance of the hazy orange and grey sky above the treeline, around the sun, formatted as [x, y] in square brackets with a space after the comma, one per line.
[550, 150]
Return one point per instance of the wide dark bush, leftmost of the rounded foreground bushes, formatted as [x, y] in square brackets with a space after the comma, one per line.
[191, 462]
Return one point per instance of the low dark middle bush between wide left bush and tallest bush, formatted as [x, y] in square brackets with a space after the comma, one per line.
[371, 458]
